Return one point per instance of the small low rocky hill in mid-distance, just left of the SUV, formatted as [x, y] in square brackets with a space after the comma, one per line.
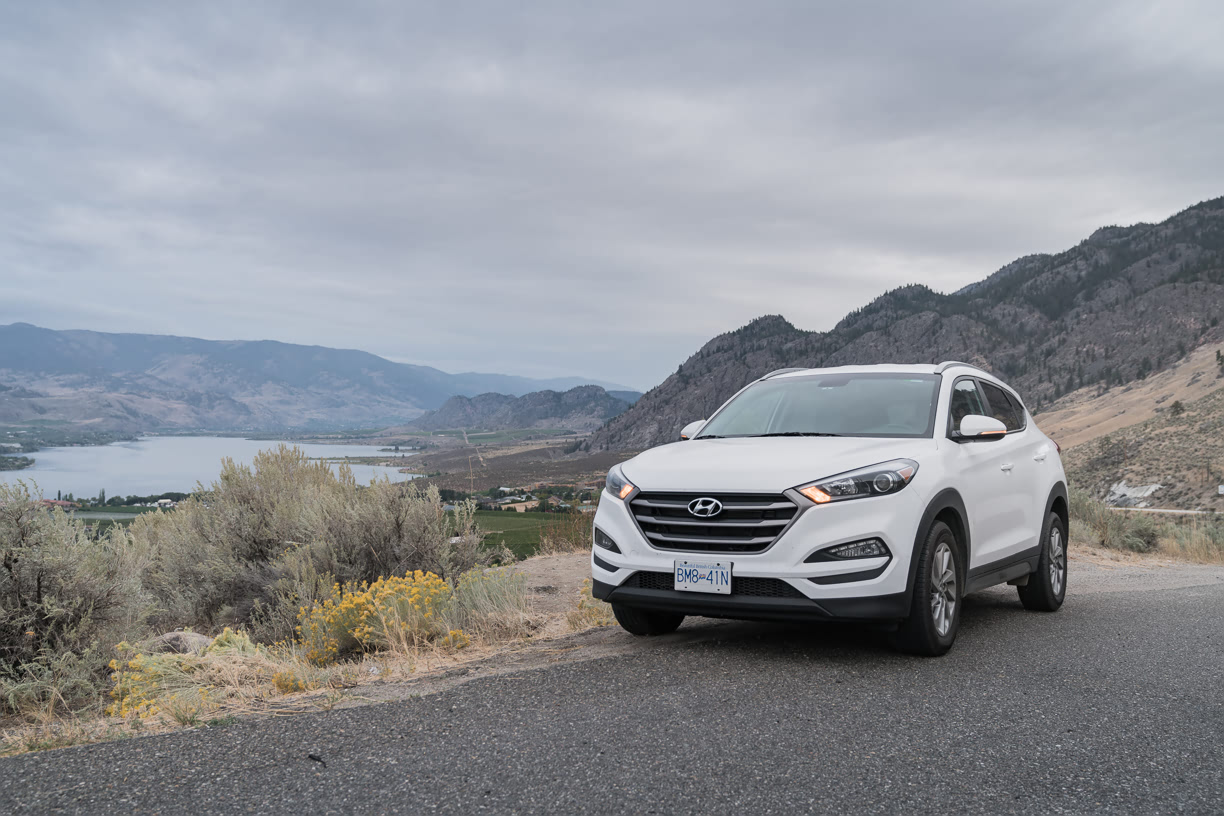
[580, 409]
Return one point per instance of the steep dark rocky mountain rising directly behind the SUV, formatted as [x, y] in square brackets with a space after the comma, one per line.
[1125, 303]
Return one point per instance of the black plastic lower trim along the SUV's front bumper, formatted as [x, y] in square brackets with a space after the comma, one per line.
[886, 607]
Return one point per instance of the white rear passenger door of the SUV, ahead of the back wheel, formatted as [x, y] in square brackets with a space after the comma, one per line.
[1026, 473]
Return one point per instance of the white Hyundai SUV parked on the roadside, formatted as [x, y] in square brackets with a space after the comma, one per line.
[855, 494]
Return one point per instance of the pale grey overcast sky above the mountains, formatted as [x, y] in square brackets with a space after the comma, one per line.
[573, 189]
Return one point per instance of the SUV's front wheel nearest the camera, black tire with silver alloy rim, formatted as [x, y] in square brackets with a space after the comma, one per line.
[936, 610]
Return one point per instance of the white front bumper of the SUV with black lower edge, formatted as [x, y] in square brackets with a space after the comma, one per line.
[867, 589]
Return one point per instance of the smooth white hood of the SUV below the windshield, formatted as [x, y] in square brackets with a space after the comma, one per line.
[757, 464]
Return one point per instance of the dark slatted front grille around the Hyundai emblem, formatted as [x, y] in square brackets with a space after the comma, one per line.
[748, 523]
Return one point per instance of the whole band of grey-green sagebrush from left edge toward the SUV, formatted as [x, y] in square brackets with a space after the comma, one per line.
[248, 552]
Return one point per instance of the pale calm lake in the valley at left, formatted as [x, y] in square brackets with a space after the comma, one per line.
[167, 464]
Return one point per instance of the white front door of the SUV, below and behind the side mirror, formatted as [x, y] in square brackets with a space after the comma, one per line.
[983, 472]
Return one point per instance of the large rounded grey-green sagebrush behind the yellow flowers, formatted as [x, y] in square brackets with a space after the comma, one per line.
[266, 540]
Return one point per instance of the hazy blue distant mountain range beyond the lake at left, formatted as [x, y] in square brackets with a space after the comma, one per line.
[141, 382]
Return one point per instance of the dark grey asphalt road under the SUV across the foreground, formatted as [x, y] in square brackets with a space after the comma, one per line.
[1114, 704]
